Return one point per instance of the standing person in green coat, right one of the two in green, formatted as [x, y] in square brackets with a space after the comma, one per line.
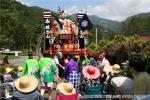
[47, 69]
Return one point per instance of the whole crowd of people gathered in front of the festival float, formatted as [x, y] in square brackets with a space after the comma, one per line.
[86, 77]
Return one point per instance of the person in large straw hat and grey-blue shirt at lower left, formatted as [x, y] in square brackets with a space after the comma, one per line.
[26, 89]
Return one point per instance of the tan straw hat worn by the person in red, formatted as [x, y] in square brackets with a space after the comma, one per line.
[66, 88]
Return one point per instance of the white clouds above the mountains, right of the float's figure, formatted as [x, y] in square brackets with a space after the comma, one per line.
[115, 9]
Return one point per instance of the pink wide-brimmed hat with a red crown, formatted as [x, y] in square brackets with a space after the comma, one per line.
[91, 72]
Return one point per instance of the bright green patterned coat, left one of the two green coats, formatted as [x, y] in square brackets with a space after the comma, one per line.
[30, 67]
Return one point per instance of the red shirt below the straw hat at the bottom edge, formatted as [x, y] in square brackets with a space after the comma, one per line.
[67, 97]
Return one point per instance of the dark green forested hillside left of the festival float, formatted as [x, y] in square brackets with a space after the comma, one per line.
[20, 25]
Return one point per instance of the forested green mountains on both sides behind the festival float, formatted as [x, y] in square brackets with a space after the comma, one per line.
[21, 26]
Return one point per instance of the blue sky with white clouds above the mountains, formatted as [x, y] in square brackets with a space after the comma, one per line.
[117, 10]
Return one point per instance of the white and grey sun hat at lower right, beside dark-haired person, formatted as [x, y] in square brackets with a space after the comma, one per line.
[123, 84]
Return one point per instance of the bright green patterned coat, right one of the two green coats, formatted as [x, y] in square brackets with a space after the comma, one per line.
[47, 69]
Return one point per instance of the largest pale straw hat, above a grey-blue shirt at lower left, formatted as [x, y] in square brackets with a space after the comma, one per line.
[26, 84]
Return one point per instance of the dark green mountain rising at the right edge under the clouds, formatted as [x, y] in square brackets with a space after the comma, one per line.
[137, 24]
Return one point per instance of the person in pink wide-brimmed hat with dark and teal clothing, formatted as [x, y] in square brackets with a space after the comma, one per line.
[90, 84]
